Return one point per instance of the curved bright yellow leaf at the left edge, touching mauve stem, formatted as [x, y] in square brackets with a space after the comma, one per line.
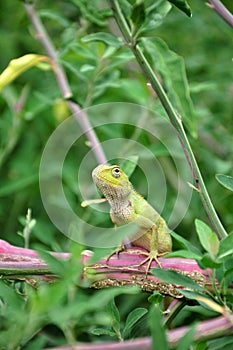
[19, 66]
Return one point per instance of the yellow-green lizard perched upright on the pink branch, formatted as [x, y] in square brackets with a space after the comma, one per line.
[129, 206]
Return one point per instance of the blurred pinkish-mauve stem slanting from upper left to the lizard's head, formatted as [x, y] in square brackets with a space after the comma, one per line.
[63, 83]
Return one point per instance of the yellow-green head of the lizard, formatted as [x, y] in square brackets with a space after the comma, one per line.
[110, 176]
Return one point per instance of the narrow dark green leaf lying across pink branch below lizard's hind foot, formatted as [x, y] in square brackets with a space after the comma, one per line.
[173, 277]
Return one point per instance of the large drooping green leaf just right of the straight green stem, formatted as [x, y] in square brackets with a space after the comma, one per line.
[172, 68]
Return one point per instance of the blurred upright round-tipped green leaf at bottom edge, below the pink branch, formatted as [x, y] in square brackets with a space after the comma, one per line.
[157, 329]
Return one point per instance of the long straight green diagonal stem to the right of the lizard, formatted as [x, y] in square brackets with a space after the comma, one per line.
[173, 116]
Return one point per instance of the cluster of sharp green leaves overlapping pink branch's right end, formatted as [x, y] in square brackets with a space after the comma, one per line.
[218, 258]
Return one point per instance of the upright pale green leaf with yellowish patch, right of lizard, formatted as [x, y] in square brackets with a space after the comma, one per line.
[207, 237]
